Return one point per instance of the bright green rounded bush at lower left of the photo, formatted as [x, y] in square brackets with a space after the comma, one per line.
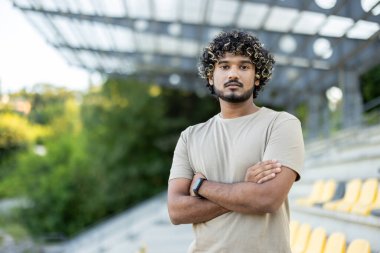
[64, 199]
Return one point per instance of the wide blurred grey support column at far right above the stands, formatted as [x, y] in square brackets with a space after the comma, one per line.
[352, 99]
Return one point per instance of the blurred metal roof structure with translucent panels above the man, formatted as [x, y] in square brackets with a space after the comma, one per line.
[316, 43]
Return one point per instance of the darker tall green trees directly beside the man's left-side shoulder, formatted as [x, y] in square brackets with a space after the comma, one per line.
[136, 135]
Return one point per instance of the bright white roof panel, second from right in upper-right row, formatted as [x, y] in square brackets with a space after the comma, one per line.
[336, 26]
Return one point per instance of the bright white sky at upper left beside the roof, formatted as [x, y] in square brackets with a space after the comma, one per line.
[26, 59]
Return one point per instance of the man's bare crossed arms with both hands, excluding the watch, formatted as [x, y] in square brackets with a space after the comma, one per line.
[263, 191]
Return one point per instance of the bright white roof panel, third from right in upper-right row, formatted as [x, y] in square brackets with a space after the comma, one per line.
[309, 22]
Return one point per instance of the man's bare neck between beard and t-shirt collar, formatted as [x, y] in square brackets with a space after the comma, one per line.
[235, 110]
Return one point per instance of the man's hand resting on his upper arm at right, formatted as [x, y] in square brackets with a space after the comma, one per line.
[262, 171]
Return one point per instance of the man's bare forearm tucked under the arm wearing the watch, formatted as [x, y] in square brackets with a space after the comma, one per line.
[189, 209]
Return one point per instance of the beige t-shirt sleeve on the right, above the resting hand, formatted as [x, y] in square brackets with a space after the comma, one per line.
[286, 144]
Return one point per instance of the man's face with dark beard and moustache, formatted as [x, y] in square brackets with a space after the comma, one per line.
[234, 78]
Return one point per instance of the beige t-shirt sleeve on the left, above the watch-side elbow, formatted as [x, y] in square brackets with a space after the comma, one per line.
[181, 167]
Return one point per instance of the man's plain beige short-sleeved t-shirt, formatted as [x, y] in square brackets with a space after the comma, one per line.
[222, 150]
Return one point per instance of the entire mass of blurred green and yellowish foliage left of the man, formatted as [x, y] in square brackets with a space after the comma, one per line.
[103, 156]
